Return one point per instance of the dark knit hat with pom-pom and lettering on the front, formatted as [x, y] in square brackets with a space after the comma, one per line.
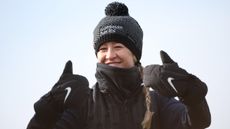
[118, 26]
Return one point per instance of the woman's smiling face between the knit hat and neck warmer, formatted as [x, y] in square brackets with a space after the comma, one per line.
[115, 54]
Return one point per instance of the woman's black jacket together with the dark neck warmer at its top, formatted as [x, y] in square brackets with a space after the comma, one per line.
[117, 101]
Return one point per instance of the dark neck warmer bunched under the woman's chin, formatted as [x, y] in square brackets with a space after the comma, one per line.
[124, 82]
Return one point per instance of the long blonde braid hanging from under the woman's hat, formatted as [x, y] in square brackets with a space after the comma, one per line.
[146, 123]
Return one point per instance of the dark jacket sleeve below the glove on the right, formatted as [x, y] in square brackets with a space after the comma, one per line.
[175, 115]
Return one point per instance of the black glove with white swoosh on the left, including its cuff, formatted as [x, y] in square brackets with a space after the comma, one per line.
[62, 95]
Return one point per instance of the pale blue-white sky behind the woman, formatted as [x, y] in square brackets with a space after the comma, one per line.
[38, 37]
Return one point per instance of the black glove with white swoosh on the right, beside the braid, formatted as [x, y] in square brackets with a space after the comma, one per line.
[170, 80]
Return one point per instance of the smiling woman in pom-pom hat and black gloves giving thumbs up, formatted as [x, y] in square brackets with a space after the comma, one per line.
[120, 99]
